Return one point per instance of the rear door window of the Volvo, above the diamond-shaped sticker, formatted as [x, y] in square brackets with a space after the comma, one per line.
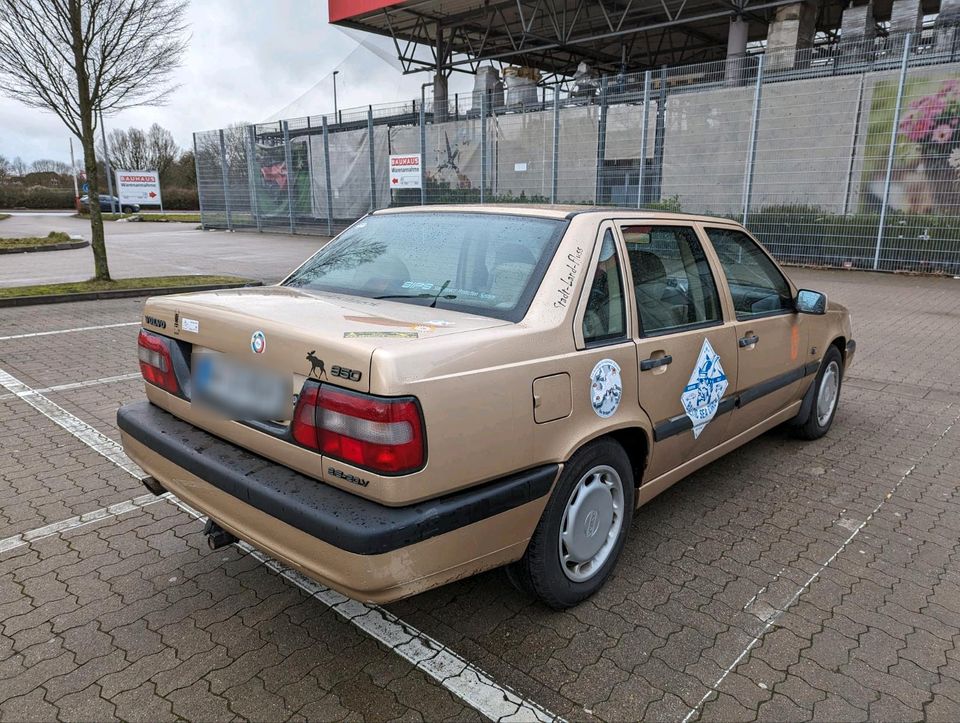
[671, 278]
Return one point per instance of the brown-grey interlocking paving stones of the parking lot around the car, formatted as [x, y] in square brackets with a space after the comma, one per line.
[834, 564]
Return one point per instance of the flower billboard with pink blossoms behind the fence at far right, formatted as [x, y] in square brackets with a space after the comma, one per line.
[926, 171]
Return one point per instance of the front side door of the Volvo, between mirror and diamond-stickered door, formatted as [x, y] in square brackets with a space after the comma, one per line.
[771, 336]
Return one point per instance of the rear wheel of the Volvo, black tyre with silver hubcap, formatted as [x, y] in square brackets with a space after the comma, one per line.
[595, 492]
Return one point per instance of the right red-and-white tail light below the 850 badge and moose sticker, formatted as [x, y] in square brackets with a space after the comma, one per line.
[375, 433]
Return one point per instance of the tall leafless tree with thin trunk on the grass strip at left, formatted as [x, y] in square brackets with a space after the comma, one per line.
[81, 58]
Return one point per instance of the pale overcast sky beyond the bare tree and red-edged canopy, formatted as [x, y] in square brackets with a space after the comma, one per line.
[248, 60]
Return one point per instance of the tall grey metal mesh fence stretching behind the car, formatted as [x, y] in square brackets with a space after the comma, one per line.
[845, 155]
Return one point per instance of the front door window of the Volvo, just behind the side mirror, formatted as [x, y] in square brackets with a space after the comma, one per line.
[756, 284]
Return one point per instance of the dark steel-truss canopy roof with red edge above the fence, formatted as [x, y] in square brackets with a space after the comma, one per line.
[555, 35]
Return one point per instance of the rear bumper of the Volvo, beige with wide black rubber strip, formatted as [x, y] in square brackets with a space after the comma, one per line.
[366, 550]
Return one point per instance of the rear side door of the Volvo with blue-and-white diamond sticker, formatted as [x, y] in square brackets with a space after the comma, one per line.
[686, 351]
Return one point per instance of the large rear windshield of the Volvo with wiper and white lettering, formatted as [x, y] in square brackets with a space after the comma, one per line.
[475, 262]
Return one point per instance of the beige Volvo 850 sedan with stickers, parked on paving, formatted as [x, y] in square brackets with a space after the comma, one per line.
[444, 390]
